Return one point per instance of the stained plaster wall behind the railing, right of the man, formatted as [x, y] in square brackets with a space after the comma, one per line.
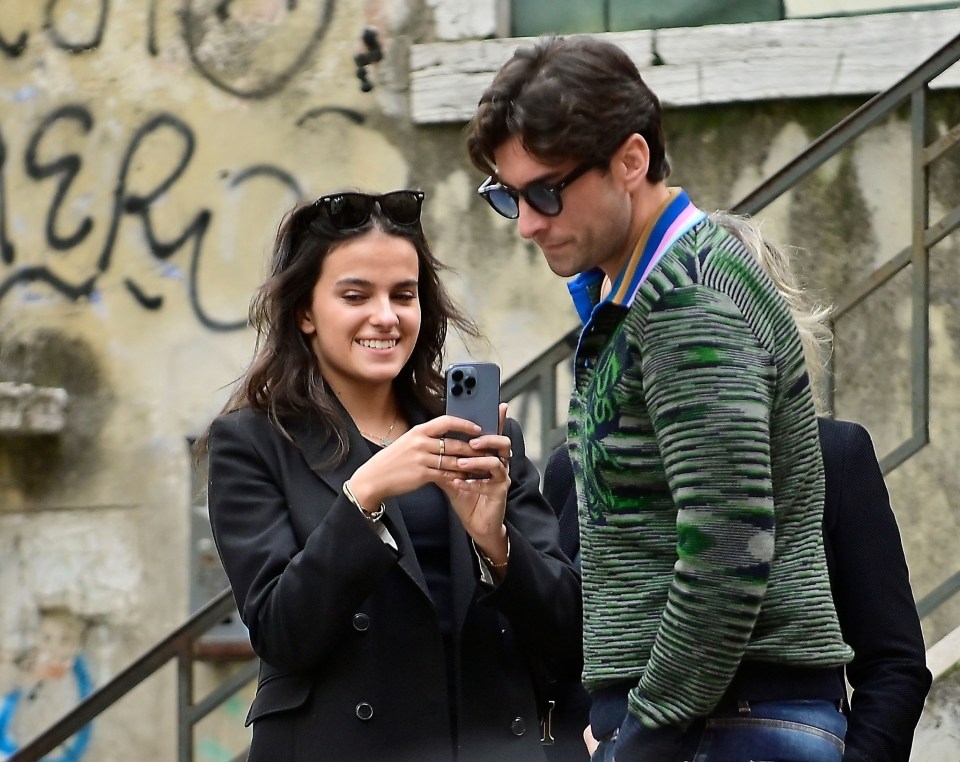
[848, 219]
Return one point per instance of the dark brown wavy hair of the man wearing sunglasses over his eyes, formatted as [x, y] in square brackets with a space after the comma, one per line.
[568, 98]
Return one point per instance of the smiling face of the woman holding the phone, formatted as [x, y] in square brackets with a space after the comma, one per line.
[364, 315]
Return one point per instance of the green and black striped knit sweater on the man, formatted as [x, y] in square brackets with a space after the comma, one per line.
[700, 484]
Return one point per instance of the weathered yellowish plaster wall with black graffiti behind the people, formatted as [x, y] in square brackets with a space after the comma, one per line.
[147, 152]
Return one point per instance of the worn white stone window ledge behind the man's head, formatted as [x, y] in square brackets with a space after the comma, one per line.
[796, 58]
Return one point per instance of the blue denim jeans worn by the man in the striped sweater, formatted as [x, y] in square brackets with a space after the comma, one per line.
[767, 731]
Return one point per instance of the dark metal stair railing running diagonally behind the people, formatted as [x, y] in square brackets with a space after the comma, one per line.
[539, 380]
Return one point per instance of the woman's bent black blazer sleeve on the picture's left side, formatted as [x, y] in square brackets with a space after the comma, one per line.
[296, 601]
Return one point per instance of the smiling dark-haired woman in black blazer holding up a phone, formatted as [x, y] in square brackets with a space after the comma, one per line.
[388, 627]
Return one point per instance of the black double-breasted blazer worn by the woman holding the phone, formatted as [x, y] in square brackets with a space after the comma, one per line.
[352, 658]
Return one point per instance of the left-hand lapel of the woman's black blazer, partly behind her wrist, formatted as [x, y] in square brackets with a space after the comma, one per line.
[319, 450]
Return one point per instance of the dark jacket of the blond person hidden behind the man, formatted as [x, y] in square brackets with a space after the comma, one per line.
[871, 590]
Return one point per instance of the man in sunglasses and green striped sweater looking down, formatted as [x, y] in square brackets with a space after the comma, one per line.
[708, 621]
